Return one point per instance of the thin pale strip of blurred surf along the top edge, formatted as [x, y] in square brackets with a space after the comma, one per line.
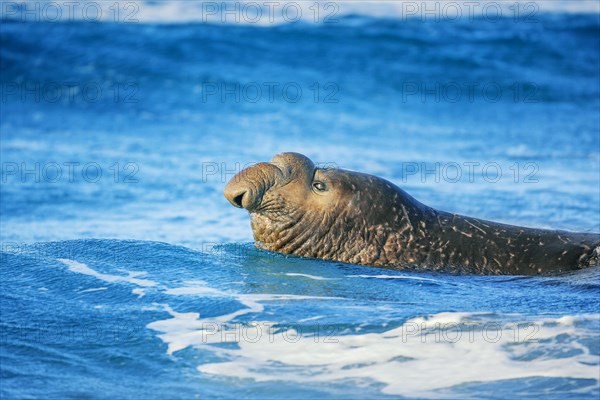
[260, 13]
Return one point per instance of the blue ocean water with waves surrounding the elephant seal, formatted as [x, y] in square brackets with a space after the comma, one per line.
[126, 274]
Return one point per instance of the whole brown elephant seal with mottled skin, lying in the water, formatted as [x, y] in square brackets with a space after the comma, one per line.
[356, 218]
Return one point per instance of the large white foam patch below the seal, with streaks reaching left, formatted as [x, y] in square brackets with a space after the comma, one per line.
[455, 347]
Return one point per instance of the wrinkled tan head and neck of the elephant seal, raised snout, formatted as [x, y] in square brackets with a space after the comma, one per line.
[330, 213]
